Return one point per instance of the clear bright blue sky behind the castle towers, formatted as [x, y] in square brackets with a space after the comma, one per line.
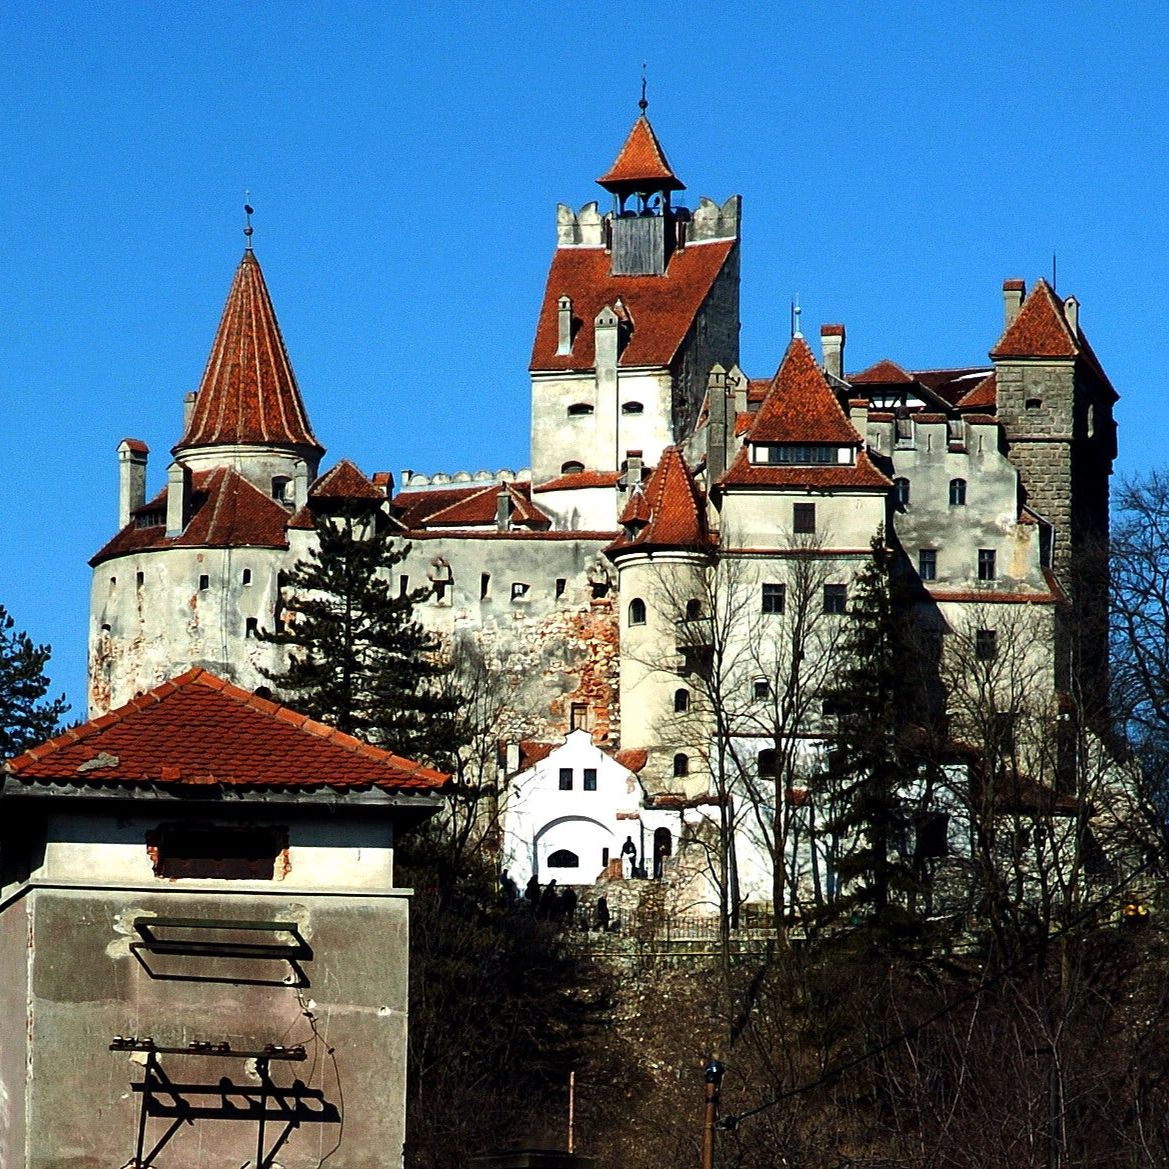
[896, 163]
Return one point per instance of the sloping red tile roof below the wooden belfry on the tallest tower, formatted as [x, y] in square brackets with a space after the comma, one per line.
[663, 308]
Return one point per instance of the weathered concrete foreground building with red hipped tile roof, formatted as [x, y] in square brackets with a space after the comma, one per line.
[203, 949]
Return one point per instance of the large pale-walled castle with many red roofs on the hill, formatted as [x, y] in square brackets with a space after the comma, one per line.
[679, 513]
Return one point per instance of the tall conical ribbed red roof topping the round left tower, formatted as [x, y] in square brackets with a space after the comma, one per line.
[250, 393]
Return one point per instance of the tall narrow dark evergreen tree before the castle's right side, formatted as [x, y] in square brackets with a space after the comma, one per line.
[870, 771]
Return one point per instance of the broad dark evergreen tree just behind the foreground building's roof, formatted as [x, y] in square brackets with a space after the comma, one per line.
[357, 658]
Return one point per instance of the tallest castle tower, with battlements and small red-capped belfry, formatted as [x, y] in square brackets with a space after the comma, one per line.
[641, 302]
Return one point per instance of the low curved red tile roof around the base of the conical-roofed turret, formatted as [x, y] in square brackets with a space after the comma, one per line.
[226, 513]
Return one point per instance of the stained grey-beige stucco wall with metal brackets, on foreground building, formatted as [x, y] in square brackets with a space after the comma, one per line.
[88, 988]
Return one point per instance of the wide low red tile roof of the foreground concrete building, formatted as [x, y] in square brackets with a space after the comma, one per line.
[202, 730]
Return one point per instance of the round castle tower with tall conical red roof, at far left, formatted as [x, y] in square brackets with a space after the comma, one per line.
[193, 573]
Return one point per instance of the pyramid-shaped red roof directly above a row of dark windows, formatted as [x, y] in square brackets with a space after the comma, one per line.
[800, 406]
